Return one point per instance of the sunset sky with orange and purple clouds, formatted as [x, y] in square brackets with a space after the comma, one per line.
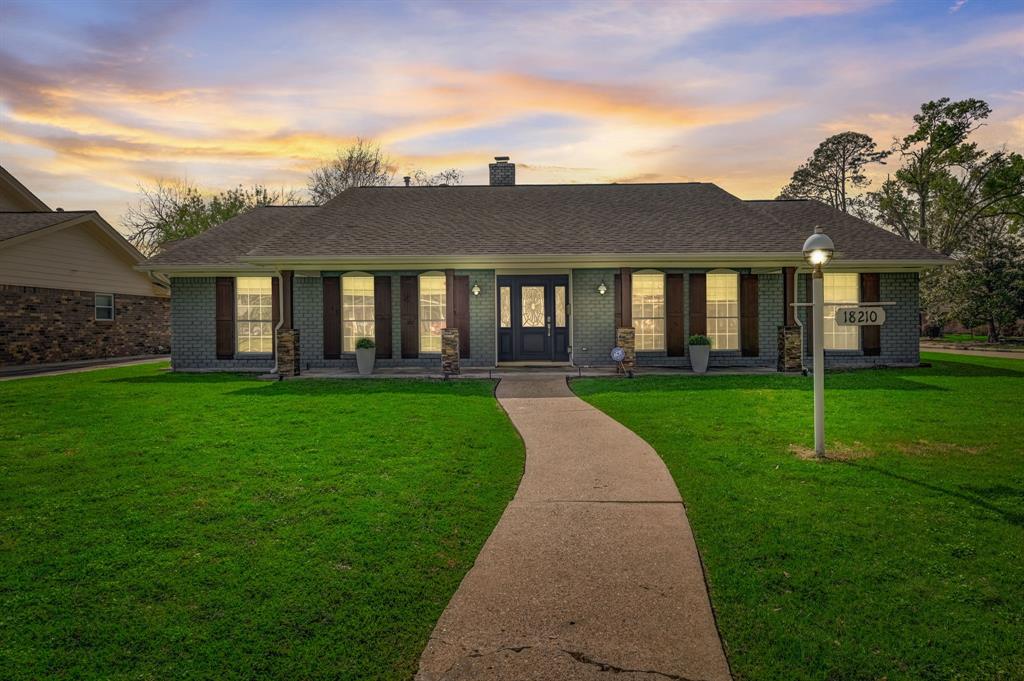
[97, 98]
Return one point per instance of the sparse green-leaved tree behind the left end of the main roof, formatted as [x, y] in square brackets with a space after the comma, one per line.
[169, 211]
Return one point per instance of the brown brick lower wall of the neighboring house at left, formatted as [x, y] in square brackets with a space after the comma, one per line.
[39, 326]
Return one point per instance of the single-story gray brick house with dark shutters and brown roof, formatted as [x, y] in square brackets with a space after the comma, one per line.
[532, 274]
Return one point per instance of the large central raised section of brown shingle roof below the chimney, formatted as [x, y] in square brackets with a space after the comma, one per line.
[533, 220]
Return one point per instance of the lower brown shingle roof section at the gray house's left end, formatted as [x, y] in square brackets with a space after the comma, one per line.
[230, 241]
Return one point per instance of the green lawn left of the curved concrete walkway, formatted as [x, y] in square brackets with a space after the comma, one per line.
[157, 526]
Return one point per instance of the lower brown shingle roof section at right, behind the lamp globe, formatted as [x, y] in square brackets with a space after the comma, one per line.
[856, 239]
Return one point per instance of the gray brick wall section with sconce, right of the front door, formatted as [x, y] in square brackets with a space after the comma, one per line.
[593, 317]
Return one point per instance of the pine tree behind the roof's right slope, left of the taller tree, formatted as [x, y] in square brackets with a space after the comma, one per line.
[836, 167]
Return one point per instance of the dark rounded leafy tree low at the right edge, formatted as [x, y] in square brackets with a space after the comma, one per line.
[987, 285]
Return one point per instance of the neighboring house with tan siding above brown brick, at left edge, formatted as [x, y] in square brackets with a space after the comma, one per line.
[69, 288]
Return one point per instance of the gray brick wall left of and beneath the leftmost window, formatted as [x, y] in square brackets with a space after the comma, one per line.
[194, 328]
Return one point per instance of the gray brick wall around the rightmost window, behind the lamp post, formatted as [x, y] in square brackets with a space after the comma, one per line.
[901, 333]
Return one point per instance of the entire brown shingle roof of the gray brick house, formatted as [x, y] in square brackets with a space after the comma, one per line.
[499, 223]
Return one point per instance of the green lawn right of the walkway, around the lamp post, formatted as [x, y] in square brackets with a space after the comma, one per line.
[904, 562]
